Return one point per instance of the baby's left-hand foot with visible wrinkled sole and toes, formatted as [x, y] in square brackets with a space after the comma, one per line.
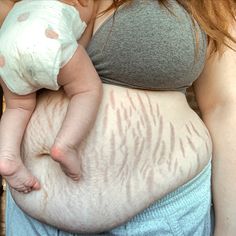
[17, 176]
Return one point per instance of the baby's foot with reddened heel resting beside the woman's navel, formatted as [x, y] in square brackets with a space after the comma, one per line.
[68, 159]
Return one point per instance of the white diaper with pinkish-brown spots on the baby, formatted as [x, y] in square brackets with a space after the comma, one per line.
[37, 38]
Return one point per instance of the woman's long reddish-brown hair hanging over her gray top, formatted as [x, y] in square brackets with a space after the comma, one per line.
[214, 17]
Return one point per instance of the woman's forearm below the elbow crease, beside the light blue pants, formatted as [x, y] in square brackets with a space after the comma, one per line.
[221, 124]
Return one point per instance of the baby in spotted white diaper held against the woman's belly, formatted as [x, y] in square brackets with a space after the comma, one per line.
[39, 49]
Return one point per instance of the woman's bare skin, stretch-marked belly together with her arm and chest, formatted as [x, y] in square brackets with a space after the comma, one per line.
[216, 97]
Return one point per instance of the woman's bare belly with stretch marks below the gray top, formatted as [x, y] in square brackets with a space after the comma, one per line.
[143, 145]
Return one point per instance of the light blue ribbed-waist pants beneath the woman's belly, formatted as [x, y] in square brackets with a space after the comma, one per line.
[184, 212]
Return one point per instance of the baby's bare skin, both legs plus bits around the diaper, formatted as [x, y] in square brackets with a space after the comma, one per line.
[82, 85]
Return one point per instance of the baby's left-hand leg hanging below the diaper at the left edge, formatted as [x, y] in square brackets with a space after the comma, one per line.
[13, 123]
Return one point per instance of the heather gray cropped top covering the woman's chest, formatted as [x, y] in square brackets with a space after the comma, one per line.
[145, 46]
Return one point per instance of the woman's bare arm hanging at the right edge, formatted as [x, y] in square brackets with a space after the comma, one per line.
[216, 95]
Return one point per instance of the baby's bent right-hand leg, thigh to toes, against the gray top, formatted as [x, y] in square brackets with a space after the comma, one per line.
[83, 86]
